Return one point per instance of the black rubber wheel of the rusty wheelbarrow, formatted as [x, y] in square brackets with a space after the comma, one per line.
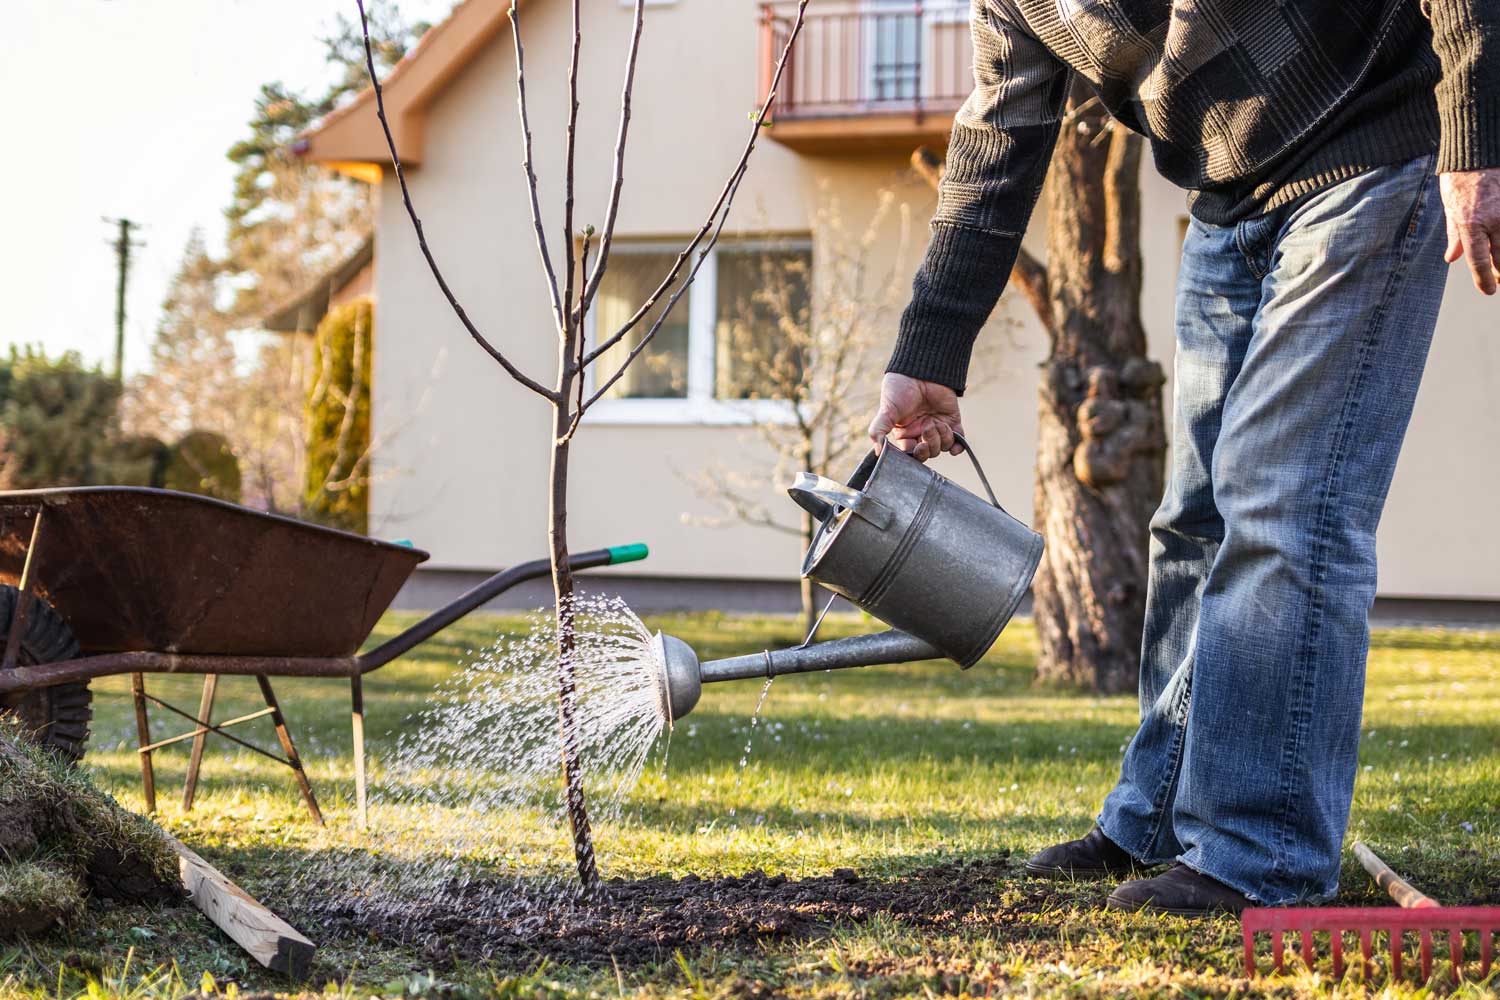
[58, 717]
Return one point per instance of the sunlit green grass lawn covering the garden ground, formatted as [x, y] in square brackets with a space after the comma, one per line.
[884, 771]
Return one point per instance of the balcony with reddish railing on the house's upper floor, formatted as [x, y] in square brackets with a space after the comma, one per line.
[868, 76]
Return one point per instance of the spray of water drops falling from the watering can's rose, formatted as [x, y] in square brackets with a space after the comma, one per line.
[472, 795]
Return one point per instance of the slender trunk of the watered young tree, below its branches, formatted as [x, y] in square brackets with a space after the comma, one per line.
[565, 611]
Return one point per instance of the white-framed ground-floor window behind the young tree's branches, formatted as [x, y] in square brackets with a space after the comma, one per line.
[733, 343]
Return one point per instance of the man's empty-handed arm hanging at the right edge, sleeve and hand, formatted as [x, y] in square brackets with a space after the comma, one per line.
[1466, 37]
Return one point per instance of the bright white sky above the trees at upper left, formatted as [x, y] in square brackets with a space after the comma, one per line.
[127, 109]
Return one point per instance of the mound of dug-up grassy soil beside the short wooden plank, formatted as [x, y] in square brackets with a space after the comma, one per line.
[64, 842]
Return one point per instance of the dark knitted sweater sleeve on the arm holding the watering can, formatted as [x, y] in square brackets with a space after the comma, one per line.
[998, 158]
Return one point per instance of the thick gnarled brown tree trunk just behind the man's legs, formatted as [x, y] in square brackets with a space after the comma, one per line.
[1102, 445]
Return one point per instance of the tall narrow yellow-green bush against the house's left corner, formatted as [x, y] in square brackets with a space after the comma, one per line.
[338, 419]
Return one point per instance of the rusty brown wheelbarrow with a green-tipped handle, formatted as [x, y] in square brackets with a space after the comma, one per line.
[130, 581]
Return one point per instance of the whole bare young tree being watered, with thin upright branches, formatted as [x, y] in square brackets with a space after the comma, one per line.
[572, 299]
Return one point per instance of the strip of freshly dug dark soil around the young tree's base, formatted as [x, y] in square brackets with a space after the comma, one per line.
[652, 918]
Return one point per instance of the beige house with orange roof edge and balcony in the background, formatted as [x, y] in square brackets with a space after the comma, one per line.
[461, 451]
